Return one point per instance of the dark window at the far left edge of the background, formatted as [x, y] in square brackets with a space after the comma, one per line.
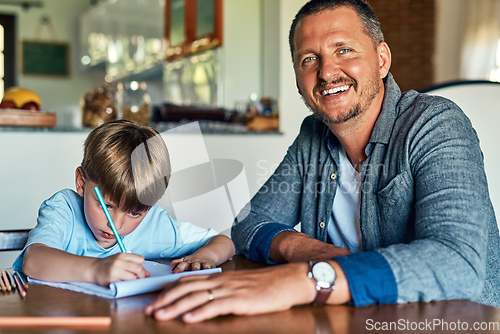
[7, 52]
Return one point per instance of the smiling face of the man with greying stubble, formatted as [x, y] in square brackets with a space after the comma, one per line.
[337, 66]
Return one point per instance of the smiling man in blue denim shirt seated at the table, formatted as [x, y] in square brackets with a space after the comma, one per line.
[389, 189]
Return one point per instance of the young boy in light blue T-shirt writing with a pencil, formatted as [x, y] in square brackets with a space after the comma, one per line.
[73, 240]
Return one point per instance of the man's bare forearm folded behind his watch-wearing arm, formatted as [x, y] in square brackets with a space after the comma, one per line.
[290, 246]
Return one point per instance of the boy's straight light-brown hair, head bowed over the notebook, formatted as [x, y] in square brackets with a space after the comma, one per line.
[129, 162]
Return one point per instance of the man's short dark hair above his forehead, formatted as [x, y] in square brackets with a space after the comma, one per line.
[363, 9]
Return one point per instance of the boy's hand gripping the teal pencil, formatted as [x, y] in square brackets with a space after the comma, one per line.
[118, 267]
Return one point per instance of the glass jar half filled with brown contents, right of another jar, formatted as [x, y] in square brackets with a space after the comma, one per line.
[135, 102]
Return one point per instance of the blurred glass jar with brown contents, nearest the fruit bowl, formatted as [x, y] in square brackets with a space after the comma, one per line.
[98, 106]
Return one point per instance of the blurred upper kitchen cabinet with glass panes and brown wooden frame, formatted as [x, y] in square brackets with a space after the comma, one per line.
[128, 37]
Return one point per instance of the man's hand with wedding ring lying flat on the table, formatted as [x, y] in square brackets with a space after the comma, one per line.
[246, 292]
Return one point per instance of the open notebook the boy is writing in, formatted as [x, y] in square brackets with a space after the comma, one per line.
[161, 275]
